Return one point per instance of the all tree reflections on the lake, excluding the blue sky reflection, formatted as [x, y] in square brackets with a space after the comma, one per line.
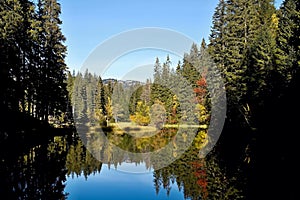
[39, 170]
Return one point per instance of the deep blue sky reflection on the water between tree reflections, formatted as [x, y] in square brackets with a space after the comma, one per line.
[114, 184]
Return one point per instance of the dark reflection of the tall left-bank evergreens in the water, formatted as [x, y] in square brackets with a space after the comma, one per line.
[35, 171]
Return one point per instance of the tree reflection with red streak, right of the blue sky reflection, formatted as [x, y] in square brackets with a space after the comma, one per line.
[200, 178]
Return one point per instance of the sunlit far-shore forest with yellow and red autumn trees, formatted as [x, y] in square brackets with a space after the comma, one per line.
[178, 94]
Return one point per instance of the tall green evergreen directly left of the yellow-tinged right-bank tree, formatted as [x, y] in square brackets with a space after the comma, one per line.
[241, 24]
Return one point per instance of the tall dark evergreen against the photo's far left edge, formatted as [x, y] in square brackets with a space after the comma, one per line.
[11, 23]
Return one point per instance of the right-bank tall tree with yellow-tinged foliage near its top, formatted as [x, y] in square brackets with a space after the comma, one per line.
[261, 56]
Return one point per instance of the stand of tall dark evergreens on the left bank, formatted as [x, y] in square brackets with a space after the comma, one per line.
[32, 58]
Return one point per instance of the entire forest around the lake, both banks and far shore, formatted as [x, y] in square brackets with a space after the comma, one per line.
[254, 46]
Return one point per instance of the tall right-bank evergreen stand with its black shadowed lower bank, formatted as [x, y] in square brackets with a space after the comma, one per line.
[257, 49]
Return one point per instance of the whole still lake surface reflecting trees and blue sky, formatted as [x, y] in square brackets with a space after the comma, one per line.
[67, 167]
